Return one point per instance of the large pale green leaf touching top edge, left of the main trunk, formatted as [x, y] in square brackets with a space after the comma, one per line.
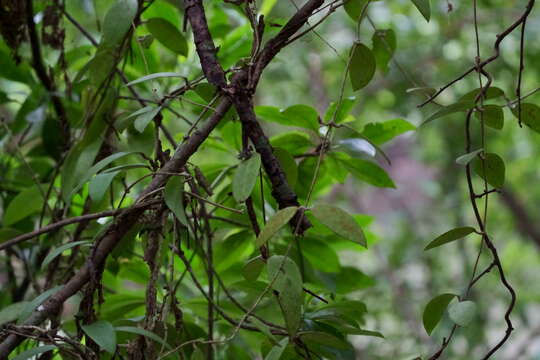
[118, 21]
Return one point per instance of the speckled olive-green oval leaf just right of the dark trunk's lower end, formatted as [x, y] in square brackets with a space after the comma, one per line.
[340, 222]
